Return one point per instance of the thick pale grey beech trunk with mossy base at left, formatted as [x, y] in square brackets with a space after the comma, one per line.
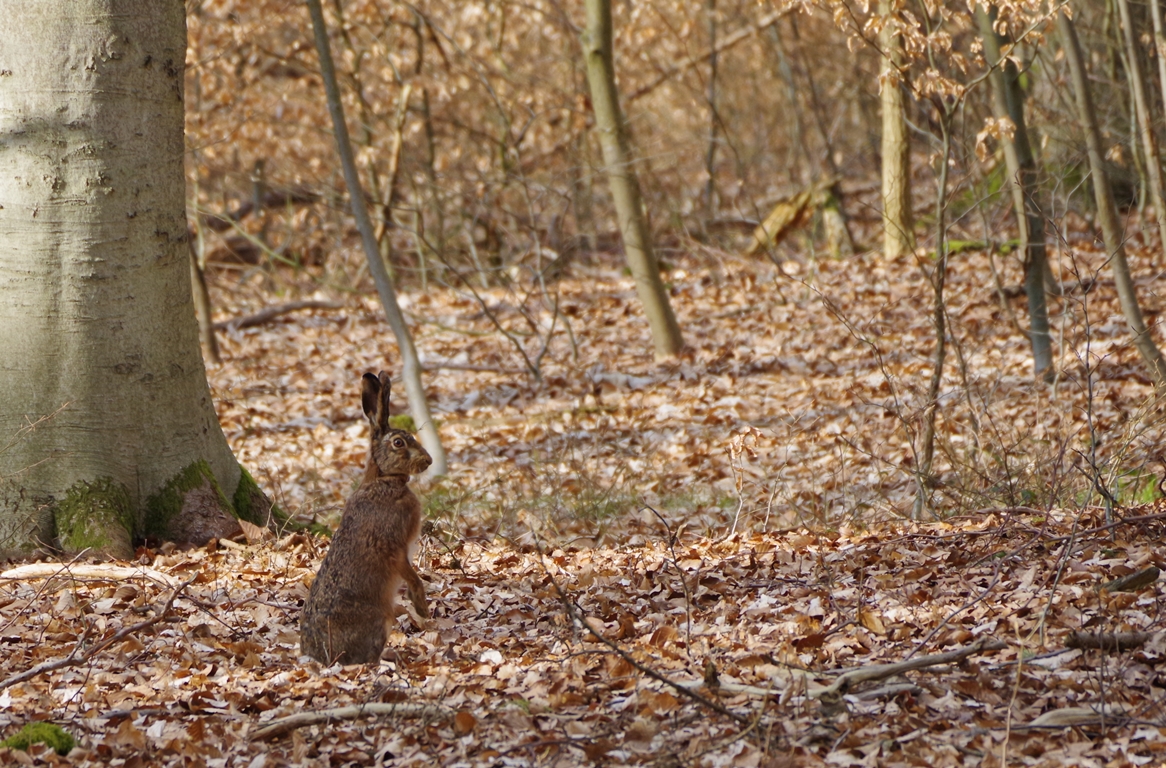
[107, 425]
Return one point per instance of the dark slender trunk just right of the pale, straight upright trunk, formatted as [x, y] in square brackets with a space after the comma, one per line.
[1008, 102]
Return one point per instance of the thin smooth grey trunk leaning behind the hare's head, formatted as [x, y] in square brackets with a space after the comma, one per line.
[411, 365]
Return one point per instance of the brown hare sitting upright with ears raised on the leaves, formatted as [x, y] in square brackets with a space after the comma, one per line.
[355, 594]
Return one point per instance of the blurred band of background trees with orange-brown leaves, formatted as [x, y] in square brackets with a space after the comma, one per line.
[793, 131]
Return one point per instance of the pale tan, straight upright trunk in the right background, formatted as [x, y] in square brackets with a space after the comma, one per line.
[898, 229]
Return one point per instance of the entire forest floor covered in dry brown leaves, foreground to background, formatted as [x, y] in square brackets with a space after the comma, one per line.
[669, 565]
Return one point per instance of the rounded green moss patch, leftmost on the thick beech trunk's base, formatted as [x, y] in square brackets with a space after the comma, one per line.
[97, 517]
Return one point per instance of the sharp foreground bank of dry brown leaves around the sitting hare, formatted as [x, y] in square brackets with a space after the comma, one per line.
[526, 687]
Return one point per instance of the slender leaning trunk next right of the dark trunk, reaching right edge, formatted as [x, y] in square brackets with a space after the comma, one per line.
[1107, 212]
